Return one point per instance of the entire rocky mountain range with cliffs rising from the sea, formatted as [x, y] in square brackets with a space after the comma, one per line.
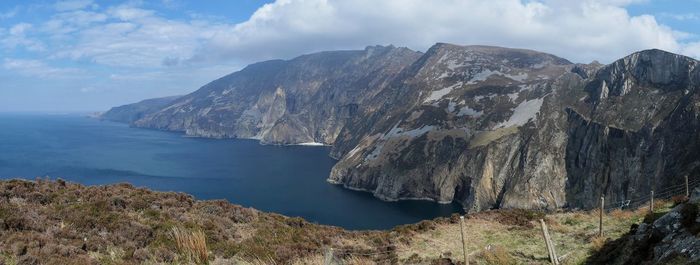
[488, 127]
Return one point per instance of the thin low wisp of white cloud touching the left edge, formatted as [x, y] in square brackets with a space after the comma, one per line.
[37, 68]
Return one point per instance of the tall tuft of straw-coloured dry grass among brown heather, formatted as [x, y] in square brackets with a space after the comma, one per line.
[191, 244]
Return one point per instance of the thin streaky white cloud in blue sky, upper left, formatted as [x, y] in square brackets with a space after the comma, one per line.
[133, 37]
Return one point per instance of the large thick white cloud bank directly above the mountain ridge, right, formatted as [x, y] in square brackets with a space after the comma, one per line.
[578, 30]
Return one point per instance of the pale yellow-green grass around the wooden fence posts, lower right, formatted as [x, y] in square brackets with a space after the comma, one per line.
[575, 235]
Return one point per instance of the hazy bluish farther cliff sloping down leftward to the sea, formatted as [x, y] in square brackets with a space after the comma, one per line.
[306, 99]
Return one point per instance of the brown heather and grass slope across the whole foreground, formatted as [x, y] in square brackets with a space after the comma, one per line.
[51, 222]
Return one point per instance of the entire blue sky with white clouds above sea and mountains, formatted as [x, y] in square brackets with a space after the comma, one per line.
[89, 55]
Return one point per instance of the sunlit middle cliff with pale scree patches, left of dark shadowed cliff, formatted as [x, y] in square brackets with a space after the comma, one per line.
[479, 125]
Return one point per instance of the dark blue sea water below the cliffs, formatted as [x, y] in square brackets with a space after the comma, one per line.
[290, 180]
